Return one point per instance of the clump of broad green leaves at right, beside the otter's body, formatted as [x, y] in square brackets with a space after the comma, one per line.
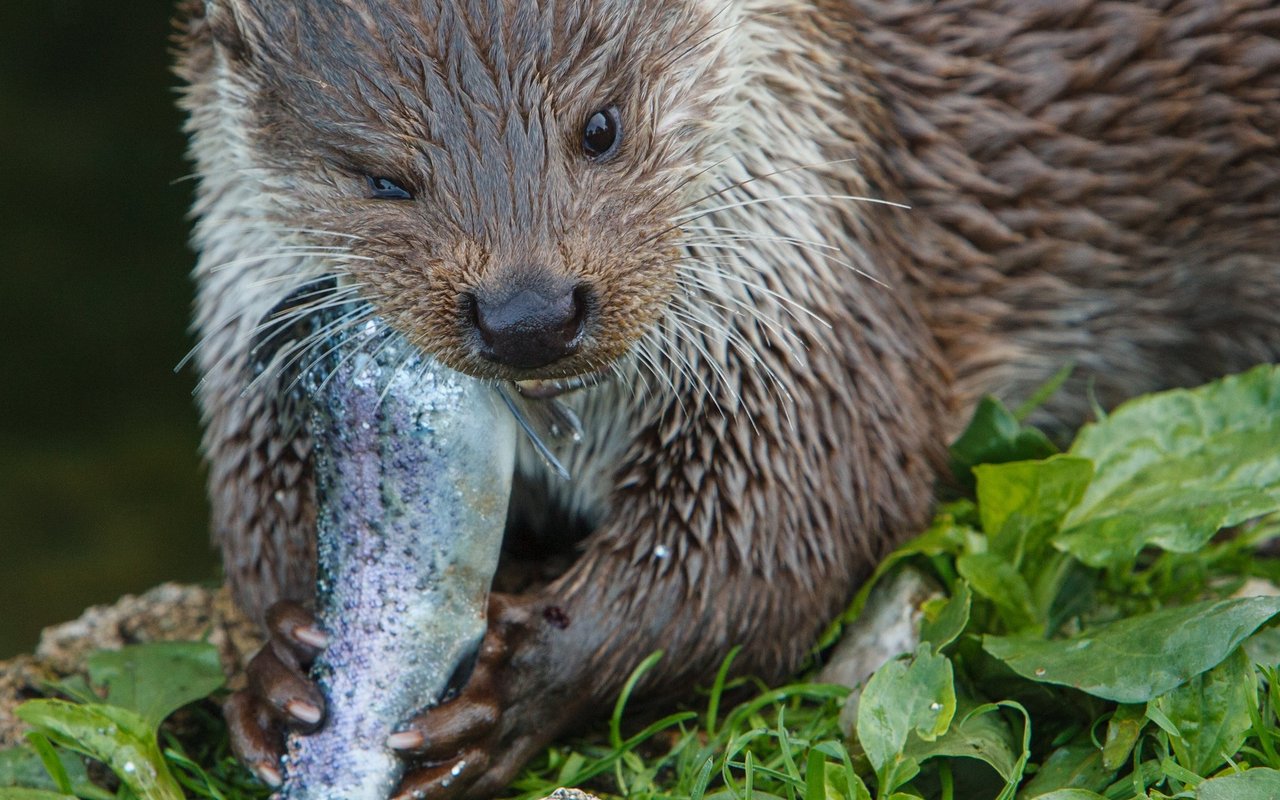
[1100, 627]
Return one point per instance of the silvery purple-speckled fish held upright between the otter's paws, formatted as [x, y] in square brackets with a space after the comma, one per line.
[413, 467]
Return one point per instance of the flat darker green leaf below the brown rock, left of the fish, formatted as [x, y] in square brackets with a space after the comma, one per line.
[154, 680]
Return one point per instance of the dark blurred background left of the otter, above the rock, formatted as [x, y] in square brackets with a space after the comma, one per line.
[100, 479]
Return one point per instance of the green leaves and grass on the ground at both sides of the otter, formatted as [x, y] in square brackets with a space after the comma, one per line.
[1095, 639]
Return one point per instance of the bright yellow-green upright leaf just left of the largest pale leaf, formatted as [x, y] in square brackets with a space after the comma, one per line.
[1022, 504]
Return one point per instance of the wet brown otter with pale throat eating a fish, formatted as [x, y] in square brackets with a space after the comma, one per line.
[770, 252]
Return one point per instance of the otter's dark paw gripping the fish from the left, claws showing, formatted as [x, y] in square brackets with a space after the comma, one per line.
[280, 696]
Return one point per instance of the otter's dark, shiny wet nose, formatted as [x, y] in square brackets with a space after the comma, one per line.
[531, 326]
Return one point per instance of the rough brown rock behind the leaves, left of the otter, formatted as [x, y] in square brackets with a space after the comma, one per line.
[171, 612]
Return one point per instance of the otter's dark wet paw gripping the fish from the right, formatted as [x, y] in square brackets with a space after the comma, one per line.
[474, 744]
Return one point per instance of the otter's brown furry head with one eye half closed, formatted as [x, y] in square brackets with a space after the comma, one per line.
[501, 177]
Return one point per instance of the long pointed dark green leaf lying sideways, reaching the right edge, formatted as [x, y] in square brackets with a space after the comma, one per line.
[1139, 659]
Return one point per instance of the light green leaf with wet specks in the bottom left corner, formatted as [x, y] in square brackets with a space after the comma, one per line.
[121, 739]
